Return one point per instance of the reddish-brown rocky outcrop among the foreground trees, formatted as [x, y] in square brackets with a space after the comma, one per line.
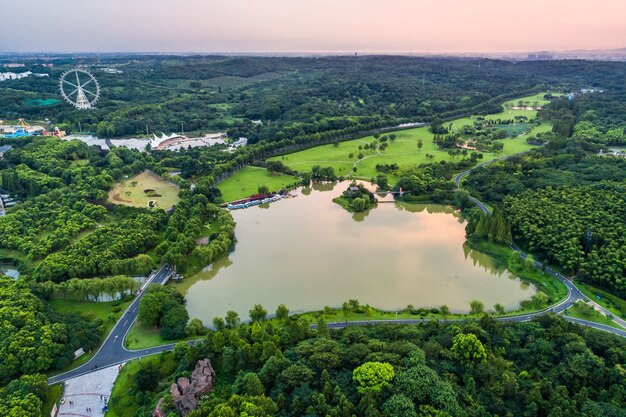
[187, 391]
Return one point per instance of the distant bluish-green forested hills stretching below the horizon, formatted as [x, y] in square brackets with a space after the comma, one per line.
[289, 96]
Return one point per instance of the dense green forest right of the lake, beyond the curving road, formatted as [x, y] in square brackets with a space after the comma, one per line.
[564, 202]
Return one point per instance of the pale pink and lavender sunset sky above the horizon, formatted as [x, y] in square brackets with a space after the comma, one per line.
[392, 26]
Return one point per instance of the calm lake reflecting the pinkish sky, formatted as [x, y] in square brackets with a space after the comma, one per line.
[307, 252]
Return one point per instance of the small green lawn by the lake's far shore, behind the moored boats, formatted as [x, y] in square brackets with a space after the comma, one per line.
[246, 182]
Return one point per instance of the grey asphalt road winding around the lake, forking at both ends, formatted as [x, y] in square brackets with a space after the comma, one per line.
[113, 352]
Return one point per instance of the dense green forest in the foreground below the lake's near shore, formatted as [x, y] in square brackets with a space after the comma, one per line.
[546, 367]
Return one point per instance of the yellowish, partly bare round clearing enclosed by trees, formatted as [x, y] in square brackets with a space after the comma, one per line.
[133, 191]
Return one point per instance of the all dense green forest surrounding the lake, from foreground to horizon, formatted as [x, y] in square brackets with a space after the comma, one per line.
[69, 241]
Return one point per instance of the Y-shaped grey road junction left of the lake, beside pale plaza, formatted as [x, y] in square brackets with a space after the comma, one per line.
[112, 350]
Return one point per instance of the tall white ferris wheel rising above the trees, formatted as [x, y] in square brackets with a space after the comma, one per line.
[79, 88]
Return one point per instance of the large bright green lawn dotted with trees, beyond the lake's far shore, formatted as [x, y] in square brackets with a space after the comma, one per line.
[343, 157]
